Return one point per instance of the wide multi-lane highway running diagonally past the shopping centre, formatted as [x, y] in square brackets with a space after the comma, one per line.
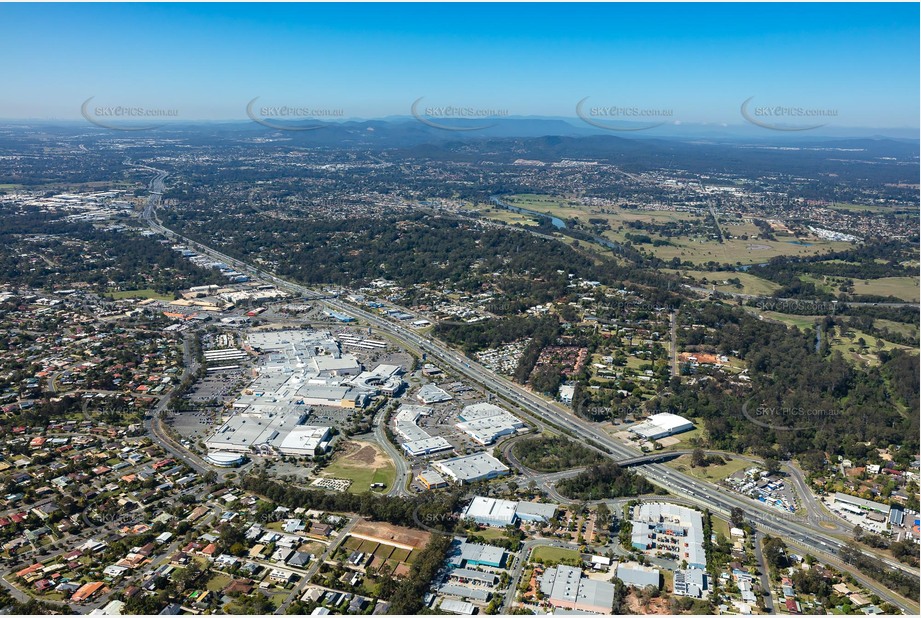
[804, 533]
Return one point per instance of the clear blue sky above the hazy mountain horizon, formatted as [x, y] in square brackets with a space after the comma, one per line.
[370, 60]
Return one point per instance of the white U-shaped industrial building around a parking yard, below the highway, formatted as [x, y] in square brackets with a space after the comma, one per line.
[660, 528]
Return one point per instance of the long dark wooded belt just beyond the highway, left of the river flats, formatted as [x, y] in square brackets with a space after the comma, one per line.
[417, 248]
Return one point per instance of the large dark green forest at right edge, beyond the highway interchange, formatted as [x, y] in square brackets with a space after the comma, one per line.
[803, 400]
